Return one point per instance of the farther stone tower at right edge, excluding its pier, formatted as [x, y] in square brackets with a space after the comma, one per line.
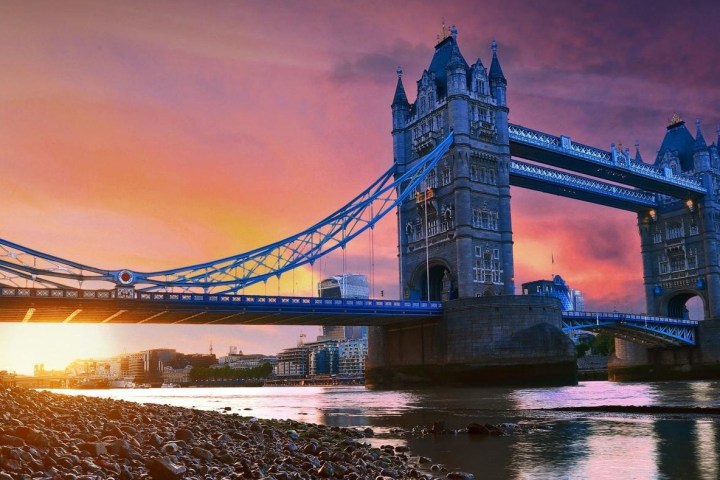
[680, 240]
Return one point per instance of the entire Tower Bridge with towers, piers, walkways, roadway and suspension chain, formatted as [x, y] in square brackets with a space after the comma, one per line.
[456, 157]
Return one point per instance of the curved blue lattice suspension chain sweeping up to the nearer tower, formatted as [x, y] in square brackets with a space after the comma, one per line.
[22, 267]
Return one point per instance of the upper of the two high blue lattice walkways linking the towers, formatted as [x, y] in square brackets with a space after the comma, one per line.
[617, 160]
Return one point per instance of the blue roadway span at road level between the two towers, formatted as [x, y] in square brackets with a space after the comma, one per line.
[644, 329]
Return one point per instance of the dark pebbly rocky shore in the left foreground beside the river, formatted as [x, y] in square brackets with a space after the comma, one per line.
[45, 435]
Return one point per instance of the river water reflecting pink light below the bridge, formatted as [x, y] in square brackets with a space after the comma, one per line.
[566, 445]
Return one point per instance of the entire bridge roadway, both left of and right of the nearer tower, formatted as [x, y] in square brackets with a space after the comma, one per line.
[31, 305]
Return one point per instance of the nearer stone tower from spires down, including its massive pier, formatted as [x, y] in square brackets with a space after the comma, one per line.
[455, 243]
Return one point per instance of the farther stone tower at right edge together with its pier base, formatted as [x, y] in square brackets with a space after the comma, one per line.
[680, 244]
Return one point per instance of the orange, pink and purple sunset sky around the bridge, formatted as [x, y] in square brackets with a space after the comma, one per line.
[152, 135]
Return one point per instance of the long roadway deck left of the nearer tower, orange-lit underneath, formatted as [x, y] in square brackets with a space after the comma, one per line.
[57, 305]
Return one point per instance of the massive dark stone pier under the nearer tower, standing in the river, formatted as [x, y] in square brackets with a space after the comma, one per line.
[480, 341]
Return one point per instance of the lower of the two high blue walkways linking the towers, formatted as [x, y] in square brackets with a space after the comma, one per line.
[583, 188]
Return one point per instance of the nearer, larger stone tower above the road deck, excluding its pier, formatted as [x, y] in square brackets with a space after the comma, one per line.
[455, 236]
